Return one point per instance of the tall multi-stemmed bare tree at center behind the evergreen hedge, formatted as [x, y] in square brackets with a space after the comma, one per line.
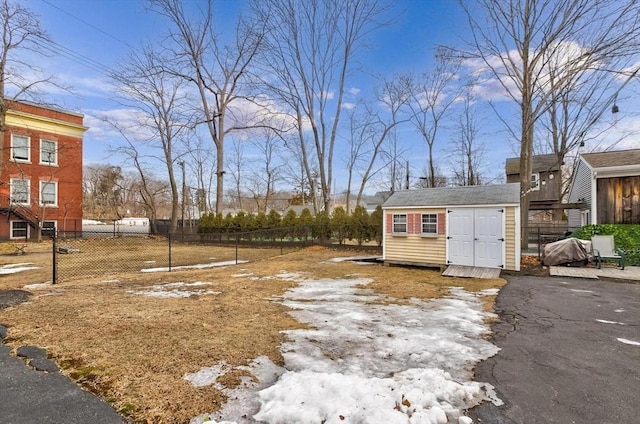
[309, 56]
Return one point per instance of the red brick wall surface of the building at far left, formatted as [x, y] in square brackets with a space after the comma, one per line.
[68, 172]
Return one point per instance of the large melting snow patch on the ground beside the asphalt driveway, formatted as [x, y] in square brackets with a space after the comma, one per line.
[367, 361]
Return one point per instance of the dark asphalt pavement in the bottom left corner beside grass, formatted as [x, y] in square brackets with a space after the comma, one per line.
[45, 397]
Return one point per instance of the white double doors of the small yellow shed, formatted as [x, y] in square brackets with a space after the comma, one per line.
[475, 237]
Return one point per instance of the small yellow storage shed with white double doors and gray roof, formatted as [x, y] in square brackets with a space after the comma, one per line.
[476, 226]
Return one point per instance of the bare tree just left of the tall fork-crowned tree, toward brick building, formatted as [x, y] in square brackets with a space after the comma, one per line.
[157, 100]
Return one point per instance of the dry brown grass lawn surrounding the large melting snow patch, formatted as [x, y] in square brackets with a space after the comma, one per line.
[135, 350]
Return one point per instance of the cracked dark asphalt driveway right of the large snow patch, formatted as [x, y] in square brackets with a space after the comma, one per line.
[570, 353]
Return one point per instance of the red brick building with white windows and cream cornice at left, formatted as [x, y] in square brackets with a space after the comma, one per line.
[41, 173]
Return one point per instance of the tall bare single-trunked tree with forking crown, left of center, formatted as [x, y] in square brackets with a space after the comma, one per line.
[214, 69]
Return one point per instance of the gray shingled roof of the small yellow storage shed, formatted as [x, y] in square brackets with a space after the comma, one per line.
[456, 196]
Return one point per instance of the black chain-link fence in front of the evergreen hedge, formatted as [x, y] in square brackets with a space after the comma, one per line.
[106, 254]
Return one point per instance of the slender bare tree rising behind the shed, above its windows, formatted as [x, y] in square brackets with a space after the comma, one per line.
[433, 94]
